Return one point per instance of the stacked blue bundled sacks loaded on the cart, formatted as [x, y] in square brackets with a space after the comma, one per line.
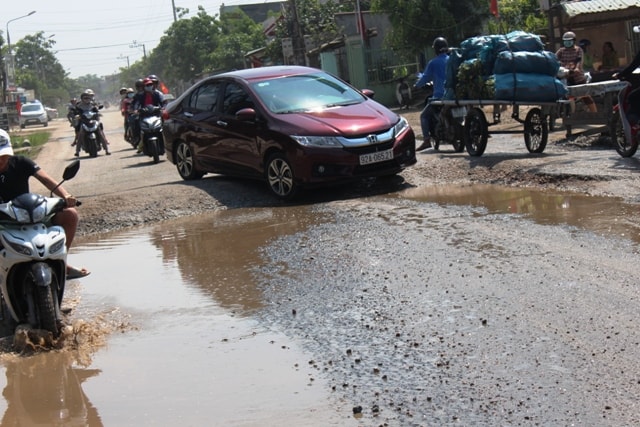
[511, 67]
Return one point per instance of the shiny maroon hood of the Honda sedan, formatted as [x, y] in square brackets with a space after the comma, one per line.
[364, 118]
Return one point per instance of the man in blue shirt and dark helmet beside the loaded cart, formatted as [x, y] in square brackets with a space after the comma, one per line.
[434, 72]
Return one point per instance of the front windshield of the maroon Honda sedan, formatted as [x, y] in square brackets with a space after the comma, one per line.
[309, 92]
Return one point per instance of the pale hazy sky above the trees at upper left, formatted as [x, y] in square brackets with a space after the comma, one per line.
[99, 37]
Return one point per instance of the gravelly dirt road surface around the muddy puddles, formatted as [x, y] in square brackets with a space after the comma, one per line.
[442, 315]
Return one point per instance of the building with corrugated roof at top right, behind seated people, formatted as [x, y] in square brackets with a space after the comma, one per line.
[599, 21]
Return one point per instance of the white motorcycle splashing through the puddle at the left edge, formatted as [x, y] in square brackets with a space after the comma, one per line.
[33, 259]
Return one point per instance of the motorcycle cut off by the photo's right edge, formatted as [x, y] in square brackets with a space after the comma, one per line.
[625, 135]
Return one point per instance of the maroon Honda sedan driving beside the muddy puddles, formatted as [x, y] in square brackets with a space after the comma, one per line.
[293, 127]
